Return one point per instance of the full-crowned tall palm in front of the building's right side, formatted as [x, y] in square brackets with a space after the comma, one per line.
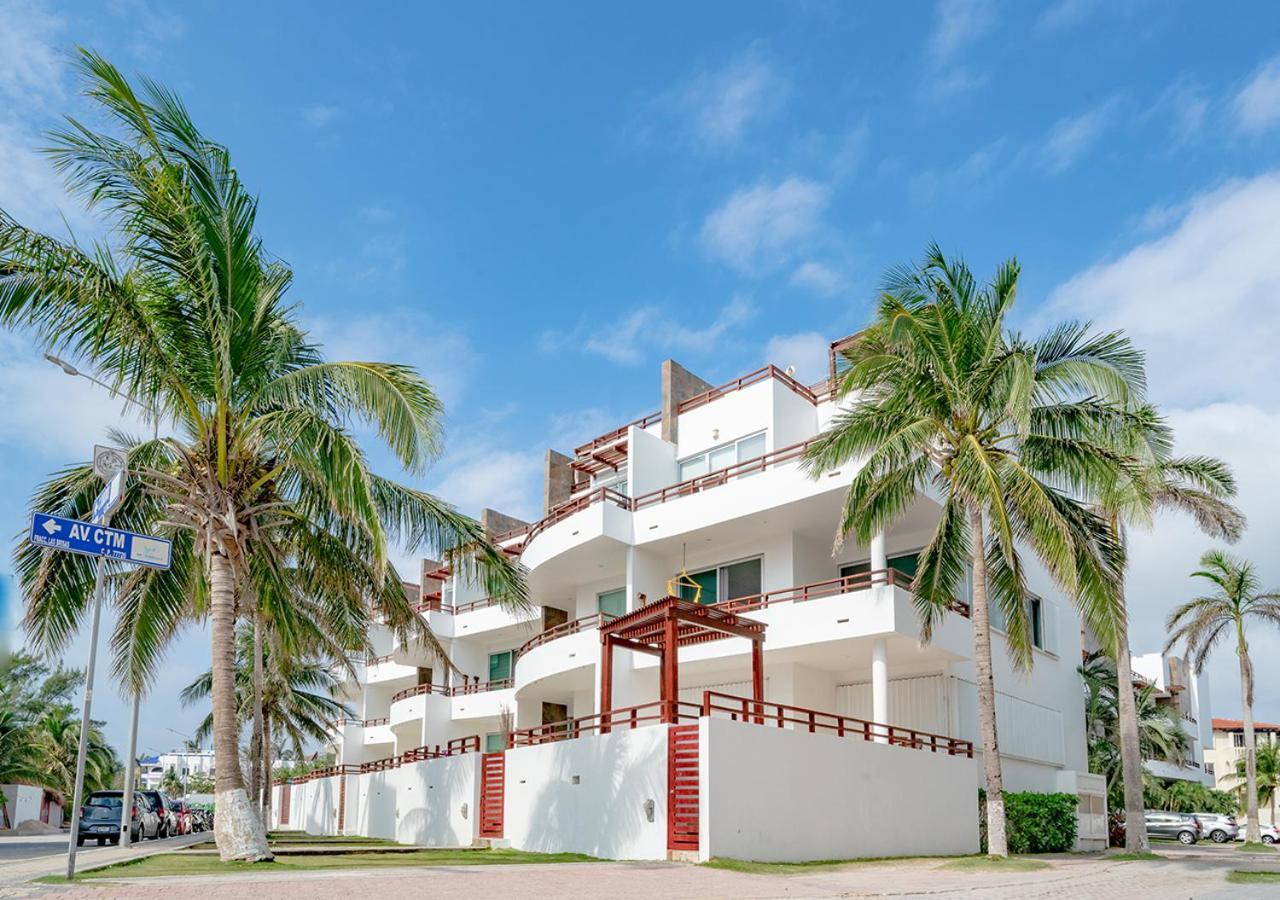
[1005, 432]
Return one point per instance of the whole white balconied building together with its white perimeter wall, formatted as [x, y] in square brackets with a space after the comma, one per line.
[705, 500]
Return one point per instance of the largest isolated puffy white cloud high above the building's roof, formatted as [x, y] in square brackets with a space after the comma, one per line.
[761, 229]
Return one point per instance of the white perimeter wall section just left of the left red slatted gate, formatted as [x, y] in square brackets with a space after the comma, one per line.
[437, 802]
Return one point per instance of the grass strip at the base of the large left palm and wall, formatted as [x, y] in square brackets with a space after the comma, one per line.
[180, 865]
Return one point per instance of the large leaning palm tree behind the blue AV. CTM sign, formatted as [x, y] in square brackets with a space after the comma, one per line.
[188, 314]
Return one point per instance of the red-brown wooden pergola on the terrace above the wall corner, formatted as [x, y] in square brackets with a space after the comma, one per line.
[661, 629]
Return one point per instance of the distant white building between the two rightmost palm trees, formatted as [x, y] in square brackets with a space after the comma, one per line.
[1186, 693]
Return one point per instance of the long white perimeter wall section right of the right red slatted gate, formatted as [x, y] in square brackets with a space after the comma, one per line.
[780, 796]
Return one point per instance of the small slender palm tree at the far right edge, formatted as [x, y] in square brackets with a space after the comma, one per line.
[1204, 622]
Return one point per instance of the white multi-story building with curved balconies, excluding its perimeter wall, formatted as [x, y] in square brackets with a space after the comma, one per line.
[705, 500]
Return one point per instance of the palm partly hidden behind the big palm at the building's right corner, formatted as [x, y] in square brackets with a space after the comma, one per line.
[1153, 481]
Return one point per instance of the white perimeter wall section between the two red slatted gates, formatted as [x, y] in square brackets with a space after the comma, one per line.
[604, 814]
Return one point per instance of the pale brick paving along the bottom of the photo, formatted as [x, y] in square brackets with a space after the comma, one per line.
[1077, 878]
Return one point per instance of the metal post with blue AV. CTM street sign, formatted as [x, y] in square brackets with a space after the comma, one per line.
[98, 540]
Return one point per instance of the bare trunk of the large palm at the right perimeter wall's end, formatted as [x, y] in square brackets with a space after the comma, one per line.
[998, 843]
